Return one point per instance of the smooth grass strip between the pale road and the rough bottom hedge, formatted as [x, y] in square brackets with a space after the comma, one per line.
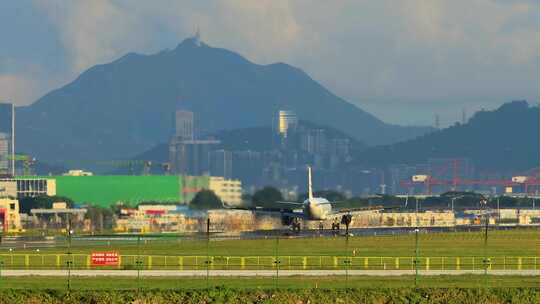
[328, 282]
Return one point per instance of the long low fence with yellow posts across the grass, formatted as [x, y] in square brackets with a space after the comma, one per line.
[163, 262]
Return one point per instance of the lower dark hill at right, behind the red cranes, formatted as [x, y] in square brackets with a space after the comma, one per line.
[505, 140]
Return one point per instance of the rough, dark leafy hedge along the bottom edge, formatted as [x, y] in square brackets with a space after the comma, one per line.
[282, 296]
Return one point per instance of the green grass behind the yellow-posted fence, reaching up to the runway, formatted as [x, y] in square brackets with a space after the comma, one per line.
[523, 242]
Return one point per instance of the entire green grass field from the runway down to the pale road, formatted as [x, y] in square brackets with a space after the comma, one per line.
[511, 249]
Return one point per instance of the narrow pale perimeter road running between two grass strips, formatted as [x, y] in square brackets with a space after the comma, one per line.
[255, 273]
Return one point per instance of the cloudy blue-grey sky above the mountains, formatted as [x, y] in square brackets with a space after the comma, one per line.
[404, 61]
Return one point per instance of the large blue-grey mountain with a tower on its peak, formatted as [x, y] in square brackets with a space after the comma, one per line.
[119, 109]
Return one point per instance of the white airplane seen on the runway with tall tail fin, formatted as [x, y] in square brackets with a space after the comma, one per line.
[313, 209]
